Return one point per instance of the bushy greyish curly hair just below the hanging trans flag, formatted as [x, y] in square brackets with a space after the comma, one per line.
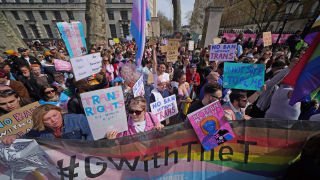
[129, 73]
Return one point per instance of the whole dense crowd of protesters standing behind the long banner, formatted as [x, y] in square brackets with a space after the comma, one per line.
[29, 75]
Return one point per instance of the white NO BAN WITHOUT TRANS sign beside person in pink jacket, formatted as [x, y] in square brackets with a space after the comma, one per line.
[166, 108]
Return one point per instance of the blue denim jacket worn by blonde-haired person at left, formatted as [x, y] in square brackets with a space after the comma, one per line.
[75, 126]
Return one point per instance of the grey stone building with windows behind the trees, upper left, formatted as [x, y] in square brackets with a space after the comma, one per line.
[36, 19]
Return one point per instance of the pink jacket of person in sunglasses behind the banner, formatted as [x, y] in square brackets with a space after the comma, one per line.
[149, 125]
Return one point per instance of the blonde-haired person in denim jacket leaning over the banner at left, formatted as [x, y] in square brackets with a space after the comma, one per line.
[52, 122]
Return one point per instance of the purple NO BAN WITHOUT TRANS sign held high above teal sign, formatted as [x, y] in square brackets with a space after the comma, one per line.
[223, 52]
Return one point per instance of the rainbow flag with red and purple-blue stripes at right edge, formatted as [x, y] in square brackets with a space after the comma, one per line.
[305, 76]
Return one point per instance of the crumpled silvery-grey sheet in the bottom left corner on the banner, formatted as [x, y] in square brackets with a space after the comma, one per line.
[25, 156]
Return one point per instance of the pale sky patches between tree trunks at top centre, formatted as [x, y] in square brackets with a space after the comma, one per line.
[165, 6]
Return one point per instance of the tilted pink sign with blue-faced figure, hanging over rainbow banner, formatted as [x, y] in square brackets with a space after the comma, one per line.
[210, 126]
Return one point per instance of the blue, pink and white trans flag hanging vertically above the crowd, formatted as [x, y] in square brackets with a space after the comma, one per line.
[140, 14]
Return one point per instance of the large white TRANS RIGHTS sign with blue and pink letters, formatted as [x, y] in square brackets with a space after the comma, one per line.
[105, 111]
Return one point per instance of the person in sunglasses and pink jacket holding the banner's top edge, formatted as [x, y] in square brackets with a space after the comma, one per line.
[139, 120]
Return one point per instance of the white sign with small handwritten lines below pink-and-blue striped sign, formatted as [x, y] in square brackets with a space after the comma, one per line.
[86, 66]
